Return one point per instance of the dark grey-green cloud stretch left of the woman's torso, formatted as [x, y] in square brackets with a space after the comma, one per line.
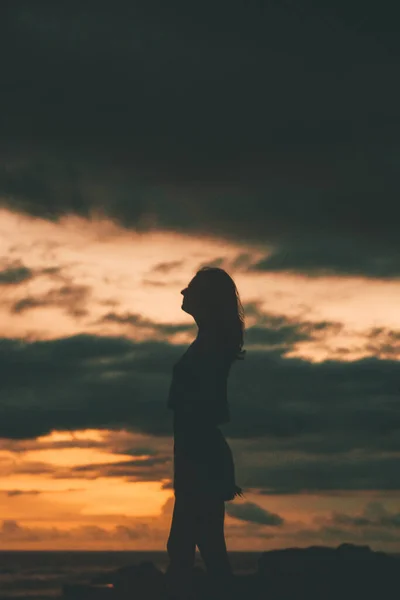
[69, 381]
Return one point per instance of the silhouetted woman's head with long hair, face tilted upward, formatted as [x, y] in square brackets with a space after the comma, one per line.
[213, 300]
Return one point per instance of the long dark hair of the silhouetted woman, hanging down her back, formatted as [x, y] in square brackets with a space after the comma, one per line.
[224, 308]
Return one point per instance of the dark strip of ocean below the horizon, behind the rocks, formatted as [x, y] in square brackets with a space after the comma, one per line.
[40, 575]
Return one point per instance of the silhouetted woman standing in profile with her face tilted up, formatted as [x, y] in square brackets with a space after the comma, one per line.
[204, 475]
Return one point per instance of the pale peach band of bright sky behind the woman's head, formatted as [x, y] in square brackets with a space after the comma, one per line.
[123, 273]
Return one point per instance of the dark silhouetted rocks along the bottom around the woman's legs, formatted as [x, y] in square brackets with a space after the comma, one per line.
[314, 573]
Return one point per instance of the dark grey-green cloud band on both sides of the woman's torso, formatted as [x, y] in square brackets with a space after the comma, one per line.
[65, 379]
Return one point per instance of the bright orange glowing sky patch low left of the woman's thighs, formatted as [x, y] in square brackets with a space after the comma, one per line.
[49, 494]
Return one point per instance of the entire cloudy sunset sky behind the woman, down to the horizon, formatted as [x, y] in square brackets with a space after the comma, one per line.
[139, 145]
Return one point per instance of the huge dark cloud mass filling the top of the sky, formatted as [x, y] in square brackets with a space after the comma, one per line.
[276, 123]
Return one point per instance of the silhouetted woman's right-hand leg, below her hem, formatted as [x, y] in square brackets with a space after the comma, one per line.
[210, 539]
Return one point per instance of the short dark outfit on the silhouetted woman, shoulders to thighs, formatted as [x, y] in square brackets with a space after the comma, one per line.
[203, 461]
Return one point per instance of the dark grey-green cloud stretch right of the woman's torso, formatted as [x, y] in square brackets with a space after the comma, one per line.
[289, 397]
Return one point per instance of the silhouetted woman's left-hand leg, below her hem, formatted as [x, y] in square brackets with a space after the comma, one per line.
[181, 547]
